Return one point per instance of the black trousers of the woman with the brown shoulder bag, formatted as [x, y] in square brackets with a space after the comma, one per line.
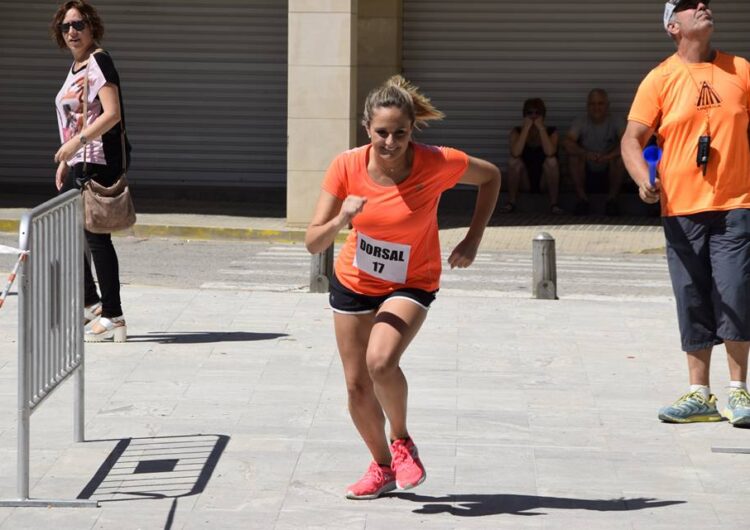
[100, 246]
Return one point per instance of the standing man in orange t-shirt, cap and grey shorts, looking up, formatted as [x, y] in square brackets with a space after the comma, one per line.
[697, 102]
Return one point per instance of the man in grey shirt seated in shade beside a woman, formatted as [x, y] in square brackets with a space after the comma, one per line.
[593, 147]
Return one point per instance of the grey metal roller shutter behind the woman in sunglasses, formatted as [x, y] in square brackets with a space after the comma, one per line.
[204, 84]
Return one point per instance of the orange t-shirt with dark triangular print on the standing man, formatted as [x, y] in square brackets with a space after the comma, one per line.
[675, 98]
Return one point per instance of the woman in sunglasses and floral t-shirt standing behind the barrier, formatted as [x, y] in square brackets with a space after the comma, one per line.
[97, 137]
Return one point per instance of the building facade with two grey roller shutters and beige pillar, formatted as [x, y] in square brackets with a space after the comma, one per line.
[264, 93]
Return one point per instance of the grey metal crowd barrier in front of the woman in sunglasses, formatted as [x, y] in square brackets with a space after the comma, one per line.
[50, 323]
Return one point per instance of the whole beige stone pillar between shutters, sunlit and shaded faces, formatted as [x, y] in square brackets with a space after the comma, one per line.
[338, 50]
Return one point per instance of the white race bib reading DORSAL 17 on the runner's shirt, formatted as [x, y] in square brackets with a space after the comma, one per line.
[382, 259]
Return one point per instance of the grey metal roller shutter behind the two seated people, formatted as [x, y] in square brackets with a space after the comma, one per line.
[478, 60]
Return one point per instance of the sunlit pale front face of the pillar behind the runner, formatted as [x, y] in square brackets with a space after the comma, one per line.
[322, 95]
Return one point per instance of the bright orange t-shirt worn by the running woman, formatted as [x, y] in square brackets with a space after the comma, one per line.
[394, 242]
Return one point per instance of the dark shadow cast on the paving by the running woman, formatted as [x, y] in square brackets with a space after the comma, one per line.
[467, 505]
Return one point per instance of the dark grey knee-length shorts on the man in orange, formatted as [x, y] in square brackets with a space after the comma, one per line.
[709, 262]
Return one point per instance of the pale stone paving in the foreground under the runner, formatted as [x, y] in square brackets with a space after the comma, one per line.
[528, 414]
